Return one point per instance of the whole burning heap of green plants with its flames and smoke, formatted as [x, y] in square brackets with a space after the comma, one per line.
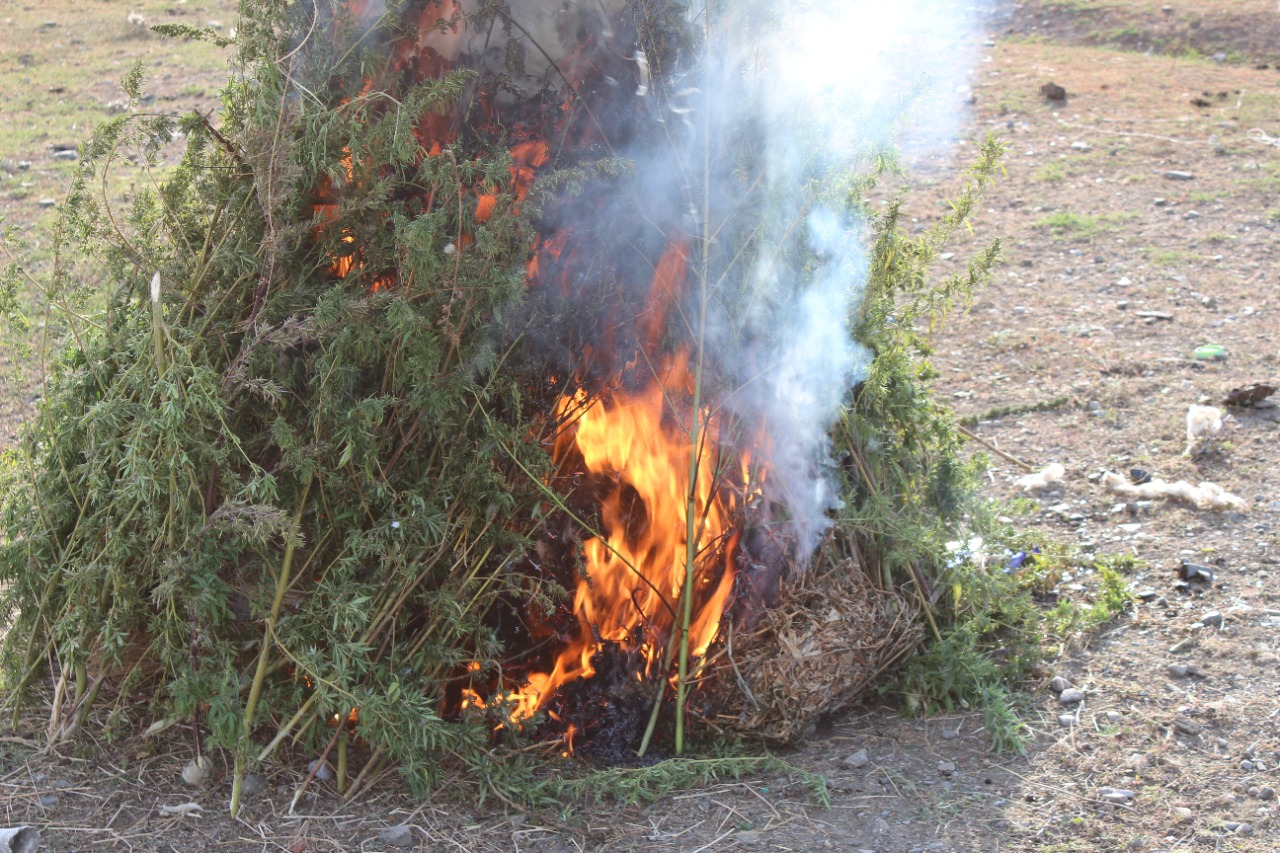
[495, 371]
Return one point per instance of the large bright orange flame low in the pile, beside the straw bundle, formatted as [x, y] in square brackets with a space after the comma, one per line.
[636, 572]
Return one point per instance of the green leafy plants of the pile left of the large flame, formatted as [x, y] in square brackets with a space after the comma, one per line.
[262, 491]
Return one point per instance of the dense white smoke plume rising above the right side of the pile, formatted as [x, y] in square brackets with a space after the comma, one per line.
[826, 84]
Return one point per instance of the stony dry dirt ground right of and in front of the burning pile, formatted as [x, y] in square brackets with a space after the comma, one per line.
[1140, 222]
